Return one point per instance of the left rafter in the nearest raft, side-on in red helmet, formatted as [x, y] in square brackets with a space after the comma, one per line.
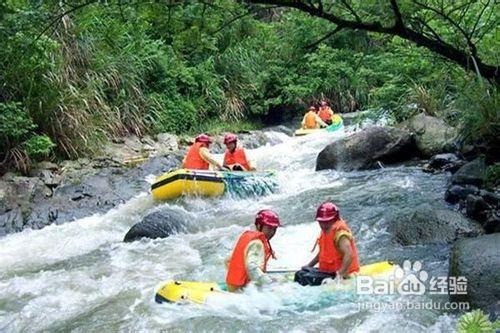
[248, 261]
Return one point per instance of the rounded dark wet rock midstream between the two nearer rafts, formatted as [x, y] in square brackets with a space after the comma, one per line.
[160, 224]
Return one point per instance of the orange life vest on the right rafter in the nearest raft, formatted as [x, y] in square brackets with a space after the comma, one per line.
[330, 258]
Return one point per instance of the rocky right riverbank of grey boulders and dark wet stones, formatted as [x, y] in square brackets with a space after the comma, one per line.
[474, 207]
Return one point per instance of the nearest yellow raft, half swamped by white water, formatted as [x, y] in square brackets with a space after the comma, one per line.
[202, 292]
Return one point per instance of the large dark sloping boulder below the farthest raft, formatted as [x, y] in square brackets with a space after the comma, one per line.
[364, 149]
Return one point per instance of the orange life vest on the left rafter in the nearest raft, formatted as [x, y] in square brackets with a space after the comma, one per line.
[237, 275]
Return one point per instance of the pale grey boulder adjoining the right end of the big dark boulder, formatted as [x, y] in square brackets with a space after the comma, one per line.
[432, 135]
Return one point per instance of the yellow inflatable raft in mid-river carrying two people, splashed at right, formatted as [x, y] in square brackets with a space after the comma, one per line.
[208, 183]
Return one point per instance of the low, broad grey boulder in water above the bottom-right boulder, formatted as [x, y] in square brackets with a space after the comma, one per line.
[427, 225]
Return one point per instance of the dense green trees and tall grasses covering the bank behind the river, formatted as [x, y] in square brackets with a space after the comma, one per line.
[73, 77]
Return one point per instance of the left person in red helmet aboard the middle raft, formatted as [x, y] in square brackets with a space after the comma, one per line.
[198, 156]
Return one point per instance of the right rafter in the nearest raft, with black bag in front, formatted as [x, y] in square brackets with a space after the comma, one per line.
[337, 256]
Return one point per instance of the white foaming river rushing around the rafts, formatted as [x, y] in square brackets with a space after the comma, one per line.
[81, 277]
